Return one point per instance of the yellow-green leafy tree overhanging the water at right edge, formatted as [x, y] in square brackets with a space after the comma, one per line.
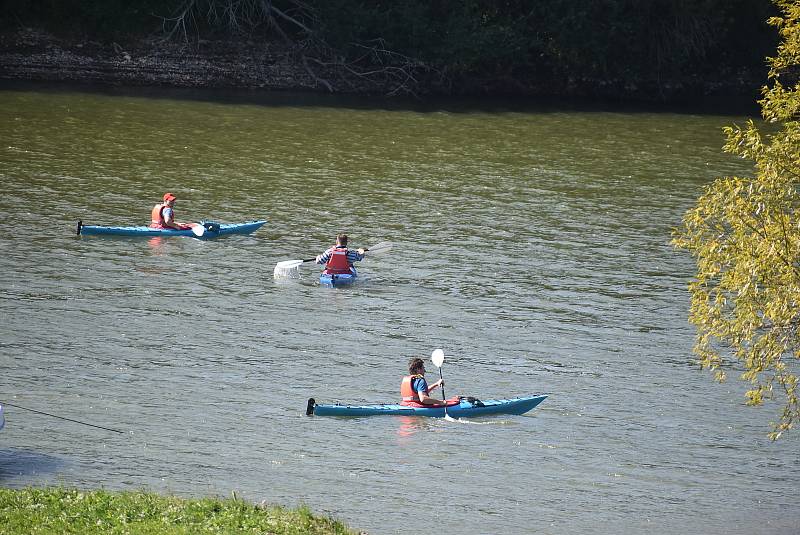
[745, 236]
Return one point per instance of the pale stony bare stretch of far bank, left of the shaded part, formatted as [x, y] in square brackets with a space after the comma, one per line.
[30, 54]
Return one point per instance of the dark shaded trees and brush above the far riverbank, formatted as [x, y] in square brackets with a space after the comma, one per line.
[647, 50]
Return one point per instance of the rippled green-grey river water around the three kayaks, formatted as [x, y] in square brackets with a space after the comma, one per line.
[531, 245]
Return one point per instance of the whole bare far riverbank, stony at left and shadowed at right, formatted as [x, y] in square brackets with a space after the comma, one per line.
[35, 55]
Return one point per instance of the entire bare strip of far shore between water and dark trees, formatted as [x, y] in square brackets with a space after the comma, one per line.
[35, 56]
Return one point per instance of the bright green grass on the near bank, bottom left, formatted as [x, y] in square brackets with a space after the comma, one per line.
[59, 510]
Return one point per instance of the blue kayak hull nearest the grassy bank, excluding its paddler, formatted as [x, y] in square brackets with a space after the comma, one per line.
[466, 408]
